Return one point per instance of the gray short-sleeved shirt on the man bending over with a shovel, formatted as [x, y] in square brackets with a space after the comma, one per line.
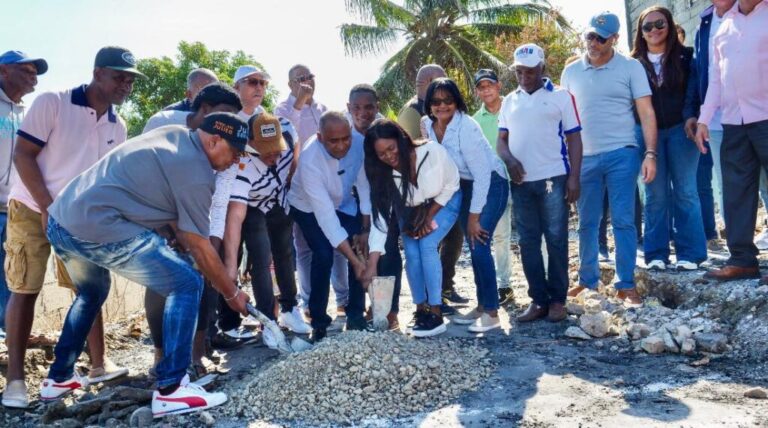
[149, 181]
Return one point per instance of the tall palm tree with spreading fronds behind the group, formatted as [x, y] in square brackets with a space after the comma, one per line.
[457, 34]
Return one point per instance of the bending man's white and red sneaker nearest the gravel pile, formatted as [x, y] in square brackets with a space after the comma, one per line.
[187, 398]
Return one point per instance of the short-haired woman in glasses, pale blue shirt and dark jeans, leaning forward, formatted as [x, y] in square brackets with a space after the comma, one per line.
[484, 186]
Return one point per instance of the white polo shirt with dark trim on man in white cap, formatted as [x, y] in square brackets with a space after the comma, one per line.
[537, 124]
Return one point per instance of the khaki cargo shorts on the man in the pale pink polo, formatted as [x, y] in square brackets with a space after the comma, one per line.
[27, 252]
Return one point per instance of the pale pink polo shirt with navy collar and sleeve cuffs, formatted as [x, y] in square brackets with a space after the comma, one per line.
[71, 138]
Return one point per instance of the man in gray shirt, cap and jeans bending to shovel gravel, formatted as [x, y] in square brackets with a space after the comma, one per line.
[103, 221]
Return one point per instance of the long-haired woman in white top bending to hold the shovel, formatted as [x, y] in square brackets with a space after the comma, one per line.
[418, 186]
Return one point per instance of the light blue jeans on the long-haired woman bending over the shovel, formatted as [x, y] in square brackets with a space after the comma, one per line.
[422, 260]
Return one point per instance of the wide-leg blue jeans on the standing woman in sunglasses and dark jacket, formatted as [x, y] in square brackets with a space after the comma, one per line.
[676, 166]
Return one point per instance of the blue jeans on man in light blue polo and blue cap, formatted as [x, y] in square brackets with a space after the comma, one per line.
[616, 171]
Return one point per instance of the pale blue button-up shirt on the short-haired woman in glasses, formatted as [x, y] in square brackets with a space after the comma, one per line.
[466, 144]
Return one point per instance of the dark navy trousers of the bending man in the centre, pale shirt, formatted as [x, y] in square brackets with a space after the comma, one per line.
[322, 264]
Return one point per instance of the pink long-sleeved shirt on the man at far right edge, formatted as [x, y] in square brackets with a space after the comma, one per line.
[738, 84]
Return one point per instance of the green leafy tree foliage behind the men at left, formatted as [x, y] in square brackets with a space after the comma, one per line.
[166, 80]
